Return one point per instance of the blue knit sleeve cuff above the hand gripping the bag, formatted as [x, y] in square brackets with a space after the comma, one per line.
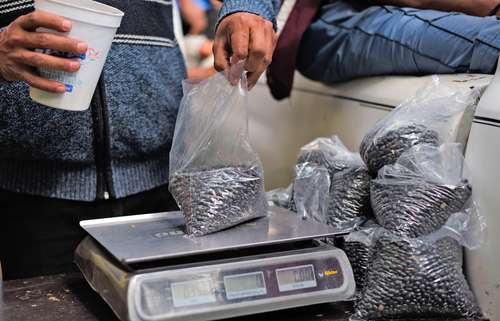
[264, 8]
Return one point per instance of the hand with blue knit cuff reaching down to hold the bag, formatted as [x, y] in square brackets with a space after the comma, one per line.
[246, 32]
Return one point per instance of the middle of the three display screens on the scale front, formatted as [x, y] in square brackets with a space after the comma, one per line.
[245, 285]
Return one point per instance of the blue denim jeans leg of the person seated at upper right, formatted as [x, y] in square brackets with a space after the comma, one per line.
[347, 42]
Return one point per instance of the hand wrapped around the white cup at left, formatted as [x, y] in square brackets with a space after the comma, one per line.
[17, 55]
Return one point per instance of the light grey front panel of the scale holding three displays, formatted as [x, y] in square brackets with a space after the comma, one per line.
[242, 287]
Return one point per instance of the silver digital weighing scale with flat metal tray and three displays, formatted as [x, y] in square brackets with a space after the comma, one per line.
[147, 269]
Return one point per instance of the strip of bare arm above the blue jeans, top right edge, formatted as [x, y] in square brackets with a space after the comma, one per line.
[472, 7]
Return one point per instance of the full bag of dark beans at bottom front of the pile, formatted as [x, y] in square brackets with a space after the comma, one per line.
[415, 278]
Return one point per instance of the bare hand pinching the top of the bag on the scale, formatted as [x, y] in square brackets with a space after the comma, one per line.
[245, 36]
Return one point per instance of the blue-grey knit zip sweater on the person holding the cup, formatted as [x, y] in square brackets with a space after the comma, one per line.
[120, 146]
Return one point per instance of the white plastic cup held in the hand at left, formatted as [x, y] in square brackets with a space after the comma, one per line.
[93, 23]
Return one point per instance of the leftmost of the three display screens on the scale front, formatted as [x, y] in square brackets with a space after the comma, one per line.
[195, 292]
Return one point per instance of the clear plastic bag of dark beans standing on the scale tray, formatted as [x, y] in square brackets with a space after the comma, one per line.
[215, 176]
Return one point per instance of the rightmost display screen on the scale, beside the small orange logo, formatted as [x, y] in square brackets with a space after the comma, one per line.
[295, 278]
